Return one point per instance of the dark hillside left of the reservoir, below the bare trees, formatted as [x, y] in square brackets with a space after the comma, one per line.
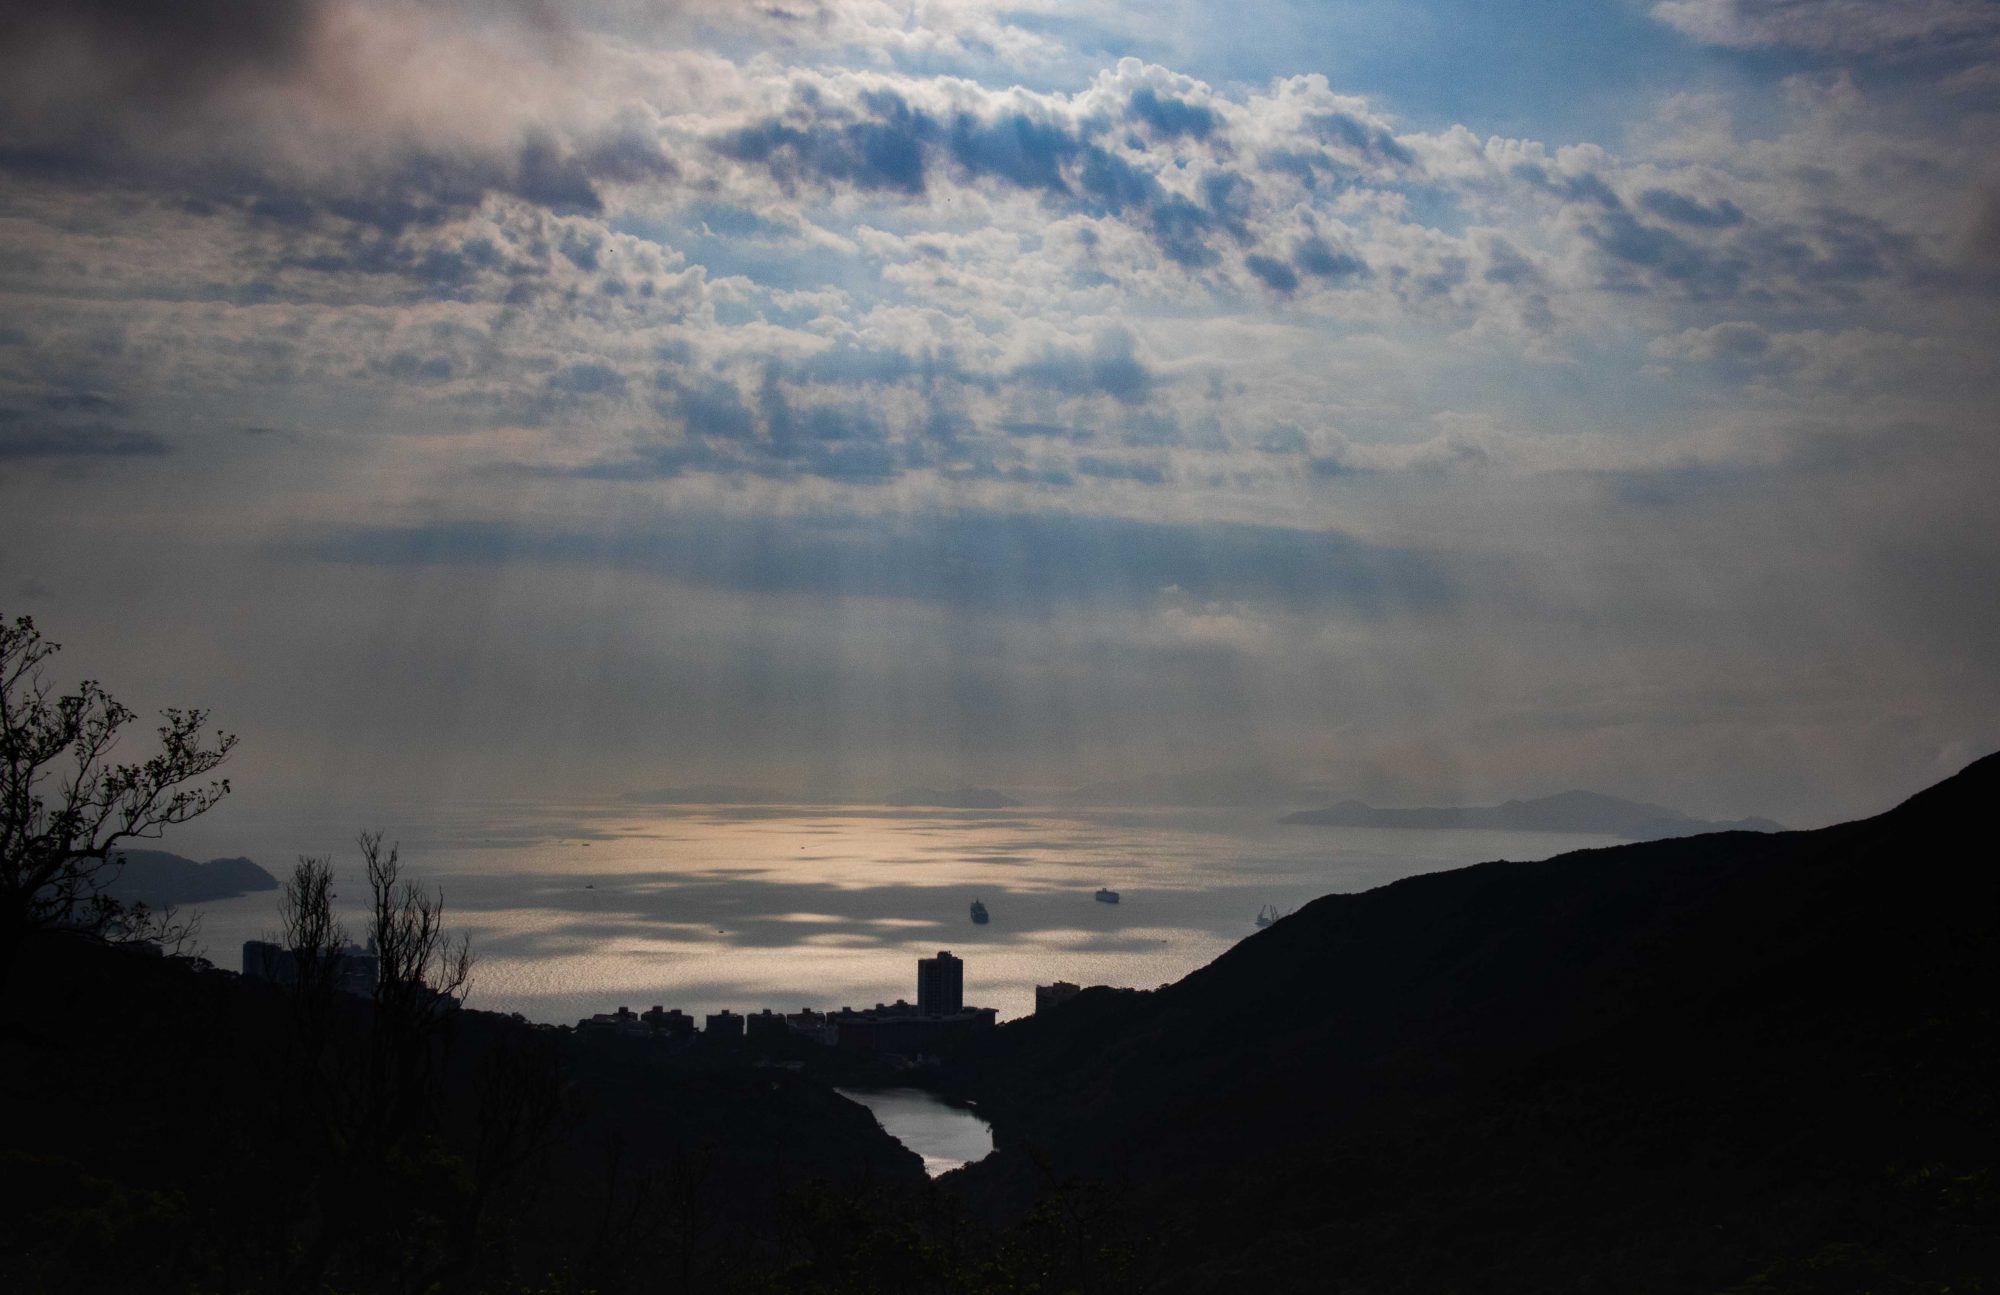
[157, 1138]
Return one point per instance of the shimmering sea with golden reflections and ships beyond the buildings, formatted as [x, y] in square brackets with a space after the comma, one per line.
[585, 908]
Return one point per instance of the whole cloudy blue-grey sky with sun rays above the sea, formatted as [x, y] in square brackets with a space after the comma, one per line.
[1425, 401]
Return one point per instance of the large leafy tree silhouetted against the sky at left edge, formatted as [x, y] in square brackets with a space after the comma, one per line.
[65, 804]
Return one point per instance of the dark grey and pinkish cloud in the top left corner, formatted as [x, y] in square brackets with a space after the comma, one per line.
[369, 111]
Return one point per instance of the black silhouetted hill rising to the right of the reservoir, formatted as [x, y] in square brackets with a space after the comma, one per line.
[1727, 1062]
